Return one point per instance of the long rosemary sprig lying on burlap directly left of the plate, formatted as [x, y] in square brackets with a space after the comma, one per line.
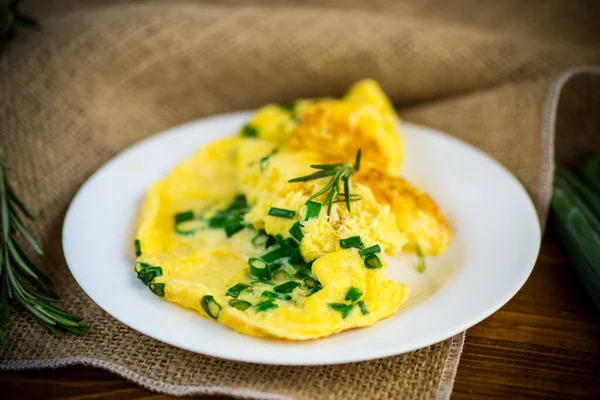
[21, 282]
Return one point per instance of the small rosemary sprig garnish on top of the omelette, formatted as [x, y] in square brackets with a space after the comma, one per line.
[340, 173]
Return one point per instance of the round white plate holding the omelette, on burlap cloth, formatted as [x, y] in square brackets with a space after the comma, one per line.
[494, 250]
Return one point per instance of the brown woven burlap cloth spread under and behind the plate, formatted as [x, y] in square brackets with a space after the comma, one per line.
[102, 75]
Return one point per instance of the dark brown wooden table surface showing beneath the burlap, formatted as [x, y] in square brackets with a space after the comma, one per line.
[544, 343]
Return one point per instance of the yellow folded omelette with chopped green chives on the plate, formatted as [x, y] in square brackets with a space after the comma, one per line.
[281, 229]
